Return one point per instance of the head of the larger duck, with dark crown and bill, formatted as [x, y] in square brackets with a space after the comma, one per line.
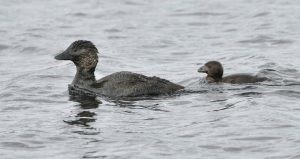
[83, 53]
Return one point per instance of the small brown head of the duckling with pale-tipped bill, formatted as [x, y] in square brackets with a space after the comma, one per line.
[214, 71]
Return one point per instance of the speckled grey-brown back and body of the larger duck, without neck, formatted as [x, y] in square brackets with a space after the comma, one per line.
[128, 84]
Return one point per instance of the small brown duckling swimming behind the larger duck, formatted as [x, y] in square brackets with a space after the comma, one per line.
[214, 71]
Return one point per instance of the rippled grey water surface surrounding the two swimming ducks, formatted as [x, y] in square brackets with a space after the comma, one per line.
[169, 39]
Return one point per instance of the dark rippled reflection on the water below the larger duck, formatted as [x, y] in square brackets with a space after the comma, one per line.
[86, 115]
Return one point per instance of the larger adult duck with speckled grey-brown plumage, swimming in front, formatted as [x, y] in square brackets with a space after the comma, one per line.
[84, 55]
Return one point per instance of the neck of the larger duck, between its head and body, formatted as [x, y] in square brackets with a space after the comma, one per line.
[84, 77]
